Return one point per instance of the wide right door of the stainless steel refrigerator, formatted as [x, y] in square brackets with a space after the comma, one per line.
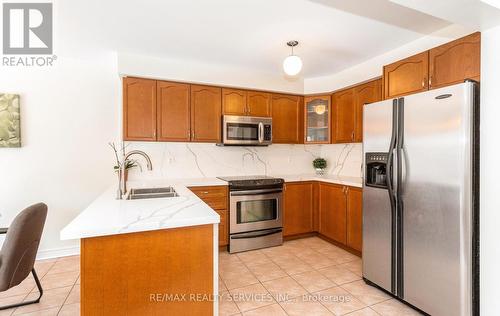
[436, 200]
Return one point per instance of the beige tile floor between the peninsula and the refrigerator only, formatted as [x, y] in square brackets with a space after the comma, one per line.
[303, 277]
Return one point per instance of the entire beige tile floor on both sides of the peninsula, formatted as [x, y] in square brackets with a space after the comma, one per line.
[303, 277]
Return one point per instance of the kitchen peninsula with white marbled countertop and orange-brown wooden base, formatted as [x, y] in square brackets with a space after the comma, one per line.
[135, 253]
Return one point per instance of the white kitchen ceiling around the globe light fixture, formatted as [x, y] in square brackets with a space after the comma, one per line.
[333, 34]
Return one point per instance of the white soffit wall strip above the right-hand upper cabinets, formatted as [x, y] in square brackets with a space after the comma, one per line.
[374, 67]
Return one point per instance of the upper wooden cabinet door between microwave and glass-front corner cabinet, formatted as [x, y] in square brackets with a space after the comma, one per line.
[287, 114]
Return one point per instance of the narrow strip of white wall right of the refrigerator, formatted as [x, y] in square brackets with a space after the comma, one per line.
[490, 172]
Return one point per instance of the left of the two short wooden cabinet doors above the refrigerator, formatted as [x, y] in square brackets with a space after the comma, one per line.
[406, 76]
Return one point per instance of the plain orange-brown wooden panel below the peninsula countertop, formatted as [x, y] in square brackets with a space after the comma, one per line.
[134, 274]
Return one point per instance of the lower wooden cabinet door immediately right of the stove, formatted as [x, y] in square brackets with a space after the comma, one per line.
[298, 208]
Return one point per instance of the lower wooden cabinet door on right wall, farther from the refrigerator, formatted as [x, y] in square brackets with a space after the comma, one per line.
[332, 212]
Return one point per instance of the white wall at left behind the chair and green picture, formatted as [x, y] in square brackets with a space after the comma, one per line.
[68, 114]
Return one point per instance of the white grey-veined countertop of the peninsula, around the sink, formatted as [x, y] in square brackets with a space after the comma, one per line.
[108, 216]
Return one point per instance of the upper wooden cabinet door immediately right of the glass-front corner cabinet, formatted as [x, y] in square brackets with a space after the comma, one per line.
[343, 116]
